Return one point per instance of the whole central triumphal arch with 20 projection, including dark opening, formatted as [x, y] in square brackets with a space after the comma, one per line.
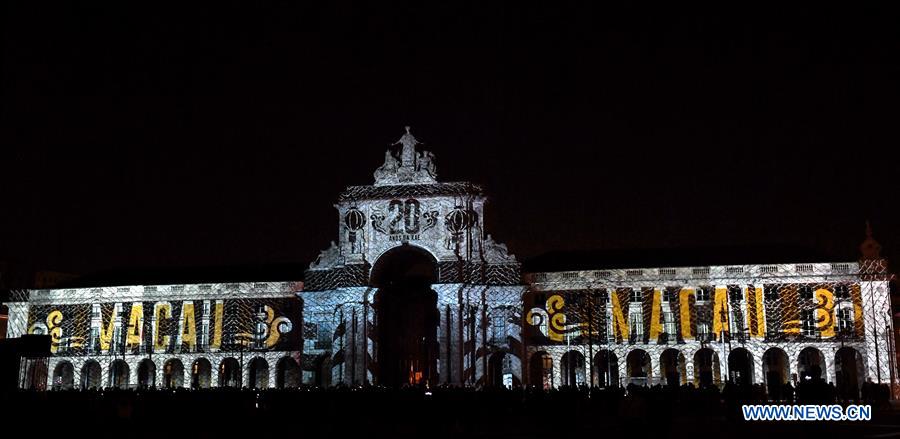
[407, 293]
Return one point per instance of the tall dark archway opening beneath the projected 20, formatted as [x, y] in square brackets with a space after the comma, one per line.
[406, 316]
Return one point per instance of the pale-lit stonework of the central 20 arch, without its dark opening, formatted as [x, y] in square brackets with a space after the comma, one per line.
[478, 284]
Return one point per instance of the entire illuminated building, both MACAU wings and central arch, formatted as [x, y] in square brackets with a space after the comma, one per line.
[415, 290]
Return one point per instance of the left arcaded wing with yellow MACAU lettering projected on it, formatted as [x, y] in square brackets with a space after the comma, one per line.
[162, 335]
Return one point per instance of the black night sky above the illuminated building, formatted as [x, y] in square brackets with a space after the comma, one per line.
[222, 134]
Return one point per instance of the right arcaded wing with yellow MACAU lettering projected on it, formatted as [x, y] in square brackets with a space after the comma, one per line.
[804, 313]
